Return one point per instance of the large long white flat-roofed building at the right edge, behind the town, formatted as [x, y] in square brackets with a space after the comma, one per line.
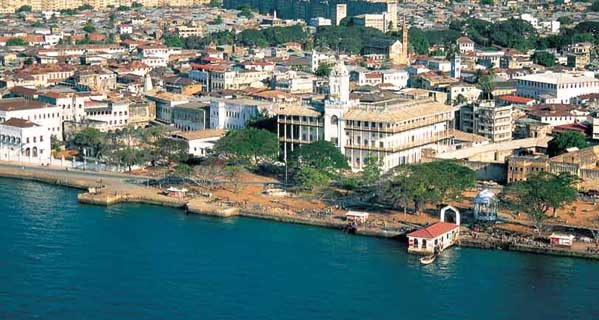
[553, 87]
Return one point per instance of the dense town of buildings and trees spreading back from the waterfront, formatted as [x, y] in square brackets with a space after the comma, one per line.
[354, 105]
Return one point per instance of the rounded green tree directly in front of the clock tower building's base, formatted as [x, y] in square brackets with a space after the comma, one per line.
[320, 155]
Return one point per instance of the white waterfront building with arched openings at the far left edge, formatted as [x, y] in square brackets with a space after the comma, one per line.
[24, 141]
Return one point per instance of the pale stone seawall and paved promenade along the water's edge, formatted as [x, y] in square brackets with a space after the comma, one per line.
[122, 188]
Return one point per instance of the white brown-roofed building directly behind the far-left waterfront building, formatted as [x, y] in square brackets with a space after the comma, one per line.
[44, 115]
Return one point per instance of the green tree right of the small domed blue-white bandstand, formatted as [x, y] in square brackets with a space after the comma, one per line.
[541, 192]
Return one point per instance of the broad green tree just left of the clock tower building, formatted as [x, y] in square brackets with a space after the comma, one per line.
[248, 146]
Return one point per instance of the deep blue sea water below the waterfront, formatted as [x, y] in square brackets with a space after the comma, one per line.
[63, 260]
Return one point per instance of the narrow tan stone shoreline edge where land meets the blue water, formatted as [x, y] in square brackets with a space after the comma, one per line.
[110, 196]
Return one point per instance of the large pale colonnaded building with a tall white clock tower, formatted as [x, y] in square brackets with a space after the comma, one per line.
[395, 133]
